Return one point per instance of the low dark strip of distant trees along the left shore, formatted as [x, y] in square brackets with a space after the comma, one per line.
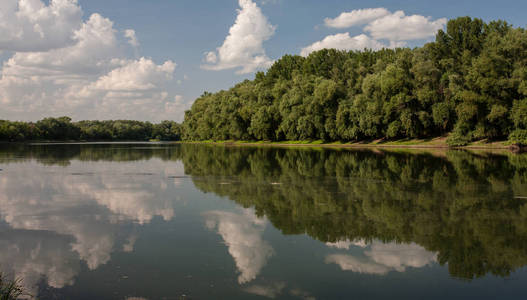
[63, 129]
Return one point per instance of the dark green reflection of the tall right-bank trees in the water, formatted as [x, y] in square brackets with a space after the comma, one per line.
[462, 206]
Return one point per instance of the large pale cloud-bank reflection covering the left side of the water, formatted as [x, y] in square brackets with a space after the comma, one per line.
[76, 216]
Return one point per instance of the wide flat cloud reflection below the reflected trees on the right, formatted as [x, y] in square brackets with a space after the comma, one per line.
[383, 258]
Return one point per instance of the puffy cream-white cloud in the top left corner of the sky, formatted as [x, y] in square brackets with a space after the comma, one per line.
[30, 25]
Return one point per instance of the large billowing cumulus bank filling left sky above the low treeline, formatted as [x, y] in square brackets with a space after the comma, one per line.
[89, 76]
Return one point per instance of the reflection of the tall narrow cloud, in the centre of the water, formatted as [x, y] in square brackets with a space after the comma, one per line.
[243, 235]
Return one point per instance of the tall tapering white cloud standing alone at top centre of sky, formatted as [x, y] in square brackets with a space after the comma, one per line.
[243, 47]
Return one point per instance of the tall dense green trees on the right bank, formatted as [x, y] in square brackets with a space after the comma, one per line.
[471, 83]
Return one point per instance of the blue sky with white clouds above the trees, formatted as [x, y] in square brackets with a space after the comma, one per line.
[149, 60]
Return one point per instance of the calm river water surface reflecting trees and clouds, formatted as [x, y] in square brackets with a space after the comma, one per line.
[161, 221]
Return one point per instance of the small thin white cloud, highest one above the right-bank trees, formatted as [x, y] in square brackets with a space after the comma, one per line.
[356, 17]
